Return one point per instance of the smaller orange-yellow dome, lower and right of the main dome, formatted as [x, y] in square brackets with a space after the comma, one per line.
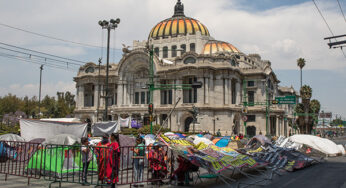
[214, 46]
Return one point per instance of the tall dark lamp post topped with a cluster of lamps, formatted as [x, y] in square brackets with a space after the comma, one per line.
[112, 24]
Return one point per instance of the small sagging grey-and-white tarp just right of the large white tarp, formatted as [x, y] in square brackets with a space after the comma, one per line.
[100, 128]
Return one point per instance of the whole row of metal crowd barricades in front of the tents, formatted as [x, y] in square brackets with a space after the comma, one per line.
[90, 165]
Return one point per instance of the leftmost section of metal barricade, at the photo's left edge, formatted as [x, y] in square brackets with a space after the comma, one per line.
[15, 157]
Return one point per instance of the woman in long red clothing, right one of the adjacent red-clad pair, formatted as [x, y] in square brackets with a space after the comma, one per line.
[112, 168]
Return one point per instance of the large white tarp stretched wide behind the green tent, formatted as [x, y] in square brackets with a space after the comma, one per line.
[31, 129]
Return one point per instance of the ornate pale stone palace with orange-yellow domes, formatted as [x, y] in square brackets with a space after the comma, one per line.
[185, 52]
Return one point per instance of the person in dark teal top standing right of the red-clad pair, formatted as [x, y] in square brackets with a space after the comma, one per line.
[138, 161]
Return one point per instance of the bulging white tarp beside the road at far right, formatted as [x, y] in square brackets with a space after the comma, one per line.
[321, 144]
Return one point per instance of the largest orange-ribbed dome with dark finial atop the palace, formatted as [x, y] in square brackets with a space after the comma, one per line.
[178, 24]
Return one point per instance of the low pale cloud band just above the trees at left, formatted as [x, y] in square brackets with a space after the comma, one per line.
[33, 89]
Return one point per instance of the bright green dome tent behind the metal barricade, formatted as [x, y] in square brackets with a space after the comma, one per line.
[59, 161]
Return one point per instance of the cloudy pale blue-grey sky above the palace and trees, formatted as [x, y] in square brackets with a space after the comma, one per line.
[281, 31]
